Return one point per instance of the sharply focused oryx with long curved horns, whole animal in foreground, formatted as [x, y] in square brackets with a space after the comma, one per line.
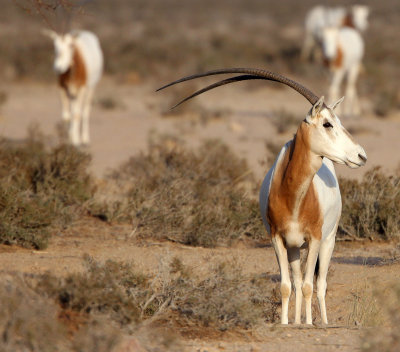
[300, 198]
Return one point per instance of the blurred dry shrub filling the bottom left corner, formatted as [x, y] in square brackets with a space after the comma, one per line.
[31, 321]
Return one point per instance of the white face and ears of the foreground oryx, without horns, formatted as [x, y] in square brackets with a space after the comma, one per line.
[328, 138]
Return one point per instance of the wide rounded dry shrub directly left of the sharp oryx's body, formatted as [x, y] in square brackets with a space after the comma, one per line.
[196, 198]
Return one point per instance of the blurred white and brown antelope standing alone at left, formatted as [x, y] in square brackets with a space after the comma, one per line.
[79, 65]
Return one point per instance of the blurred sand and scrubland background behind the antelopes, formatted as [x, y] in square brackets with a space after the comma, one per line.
[148, 43]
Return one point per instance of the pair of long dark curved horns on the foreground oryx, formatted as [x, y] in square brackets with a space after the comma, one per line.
[249, 73]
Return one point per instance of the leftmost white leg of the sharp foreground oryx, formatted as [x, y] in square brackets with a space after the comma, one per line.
[286, 289]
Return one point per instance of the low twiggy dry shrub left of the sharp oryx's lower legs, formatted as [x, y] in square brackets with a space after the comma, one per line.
[115, 291]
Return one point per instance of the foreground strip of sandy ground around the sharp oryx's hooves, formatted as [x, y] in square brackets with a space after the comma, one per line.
[355, 268]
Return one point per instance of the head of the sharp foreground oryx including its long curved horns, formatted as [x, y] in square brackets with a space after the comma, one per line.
[327, 137]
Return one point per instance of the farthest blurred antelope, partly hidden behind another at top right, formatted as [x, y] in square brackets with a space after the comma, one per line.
[320, 17]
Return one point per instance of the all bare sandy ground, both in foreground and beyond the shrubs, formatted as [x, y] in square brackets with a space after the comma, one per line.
[123, 131]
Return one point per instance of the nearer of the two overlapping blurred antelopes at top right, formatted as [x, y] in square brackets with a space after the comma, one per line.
[343, 50]
